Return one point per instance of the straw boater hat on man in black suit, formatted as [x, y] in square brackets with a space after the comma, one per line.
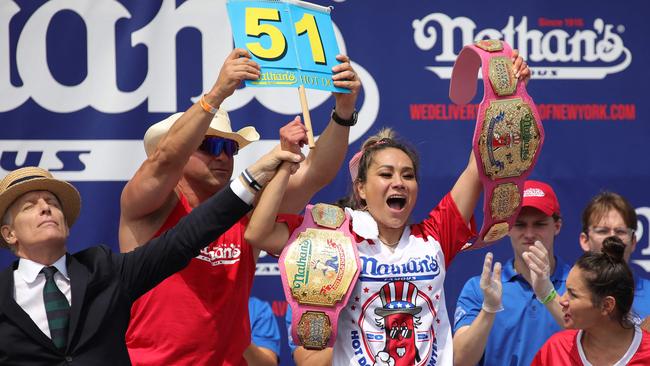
[31, 178]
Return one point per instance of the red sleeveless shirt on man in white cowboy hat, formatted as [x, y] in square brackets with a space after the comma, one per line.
[198, 316]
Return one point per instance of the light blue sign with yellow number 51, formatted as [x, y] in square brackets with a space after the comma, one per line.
[293, 42]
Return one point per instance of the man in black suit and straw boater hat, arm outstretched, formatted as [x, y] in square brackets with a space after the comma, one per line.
[61, 308]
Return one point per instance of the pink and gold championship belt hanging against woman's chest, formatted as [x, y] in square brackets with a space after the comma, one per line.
[319, 269]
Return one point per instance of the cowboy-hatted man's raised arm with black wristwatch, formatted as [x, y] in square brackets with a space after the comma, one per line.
[323, 162]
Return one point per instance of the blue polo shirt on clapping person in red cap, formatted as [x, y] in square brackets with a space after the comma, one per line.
[522, 328]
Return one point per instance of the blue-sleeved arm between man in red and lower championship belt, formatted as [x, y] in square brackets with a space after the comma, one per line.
[264, 349]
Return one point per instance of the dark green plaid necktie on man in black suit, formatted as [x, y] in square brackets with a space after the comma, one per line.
[57, 309]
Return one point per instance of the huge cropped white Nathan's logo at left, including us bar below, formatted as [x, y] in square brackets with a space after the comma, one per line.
[111, 36]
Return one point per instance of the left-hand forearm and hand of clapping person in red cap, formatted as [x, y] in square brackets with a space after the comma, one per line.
[470, 340]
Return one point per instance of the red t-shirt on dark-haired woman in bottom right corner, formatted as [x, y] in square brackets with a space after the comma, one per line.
[564, 348]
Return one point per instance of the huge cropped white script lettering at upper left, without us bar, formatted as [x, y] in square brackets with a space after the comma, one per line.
[102, 35]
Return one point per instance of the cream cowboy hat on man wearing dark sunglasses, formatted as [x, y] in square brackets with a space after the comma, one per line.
[219, 126]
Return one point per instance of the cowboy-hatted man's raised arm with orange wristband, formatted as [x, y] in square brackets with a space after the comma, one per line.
[152, 187]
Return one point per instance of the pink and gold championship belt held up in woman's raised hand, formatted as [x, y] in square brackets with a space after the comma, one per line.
[508, 135]
